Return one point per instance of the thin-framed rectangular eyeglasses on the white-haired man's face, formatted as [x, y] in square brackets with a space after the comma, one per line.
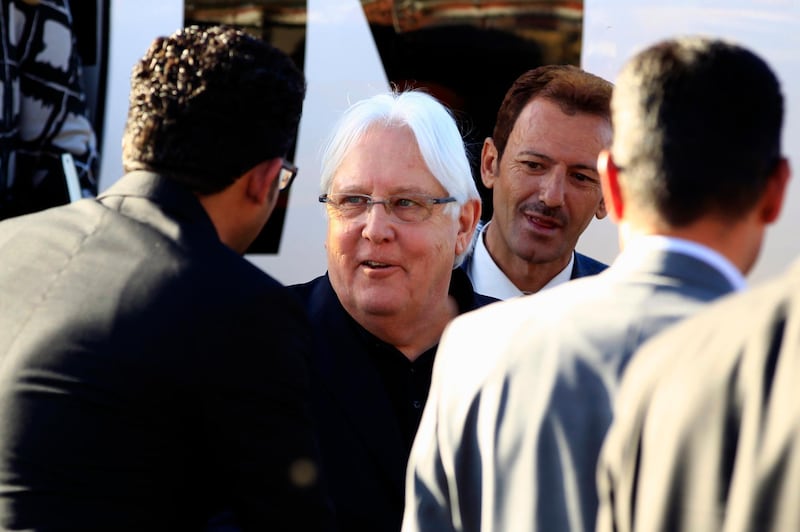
[408, 208]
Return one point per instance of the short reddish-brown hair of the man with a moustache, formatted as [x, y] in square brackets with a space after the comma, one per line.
[573, 89]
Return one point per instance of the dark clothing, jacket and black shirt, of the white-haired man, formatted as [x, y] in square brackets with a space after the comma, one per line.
[367, 400]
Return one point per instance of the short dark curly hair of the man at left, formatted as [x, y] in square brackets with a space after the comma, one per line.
[208, 104]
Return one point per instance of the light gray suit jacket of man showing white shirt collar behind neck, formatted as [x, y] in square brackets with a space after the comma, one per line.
[522, 393]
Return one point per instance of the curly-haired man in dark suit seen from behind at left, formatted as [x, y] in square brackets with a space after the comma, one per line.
[150, 376]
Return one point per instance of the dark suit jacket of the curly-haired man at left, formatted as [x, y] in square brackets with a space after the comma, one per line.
[149, 375]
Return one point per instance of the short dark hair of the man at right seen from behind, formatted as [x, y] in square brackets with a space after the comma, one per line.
[697, 128]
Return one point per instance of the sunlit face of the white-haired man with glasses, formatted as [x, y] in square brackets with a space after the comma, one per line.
[380, 266]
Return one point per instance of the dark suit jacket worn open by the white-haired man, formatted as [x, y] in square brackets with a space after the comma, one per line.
[363, 450]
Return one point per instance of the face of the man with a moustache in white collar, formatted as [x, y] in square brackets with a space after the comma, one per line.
[546, 187]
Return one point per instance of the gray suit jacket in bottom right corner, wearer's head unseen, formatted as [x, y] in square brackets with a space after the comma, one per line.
[727, 457]
